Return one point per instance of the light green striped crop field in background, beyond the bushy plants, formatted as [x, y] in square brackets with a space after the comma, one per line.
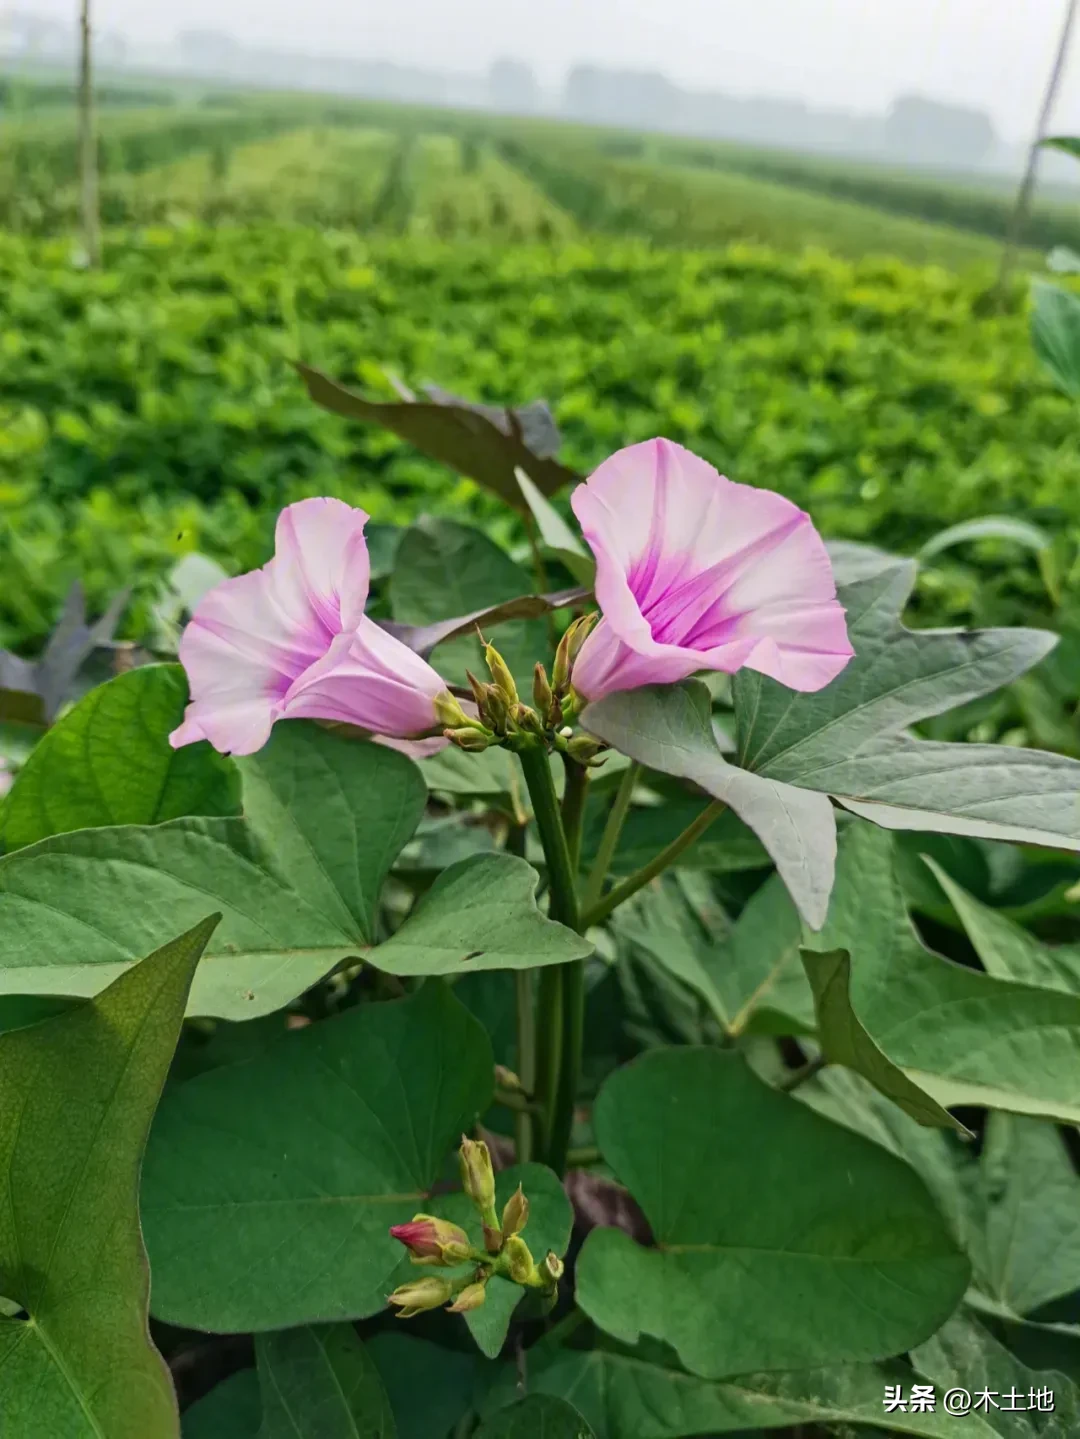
[375, 168]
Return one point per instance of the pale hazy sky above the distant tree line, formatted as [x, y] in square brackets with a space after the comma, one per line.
[856, 54]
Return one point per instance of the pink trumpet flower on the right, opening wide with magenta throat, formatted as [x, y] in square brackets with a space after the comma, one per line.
[695, 573]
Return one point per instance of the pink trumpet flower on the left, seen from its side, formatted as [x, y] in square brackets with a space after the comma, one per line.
[291, 641]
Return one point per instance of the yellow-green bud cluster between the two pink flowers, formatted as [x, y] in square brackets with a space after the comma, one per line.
[504, 719]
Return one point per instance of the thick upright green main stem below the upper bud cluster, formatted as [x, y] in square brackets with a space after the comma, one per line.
[562, 986]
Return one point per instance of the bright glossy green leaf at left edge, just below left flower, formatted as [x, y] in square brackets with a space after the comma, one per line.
[109, 762]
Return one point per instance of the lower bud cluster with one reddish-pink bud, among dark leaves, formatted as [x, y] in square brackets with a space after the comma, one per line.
[438, 1243]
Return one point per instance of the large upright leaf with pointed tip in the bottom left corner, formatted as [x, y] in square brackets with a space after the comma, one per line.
[80, 1093]
